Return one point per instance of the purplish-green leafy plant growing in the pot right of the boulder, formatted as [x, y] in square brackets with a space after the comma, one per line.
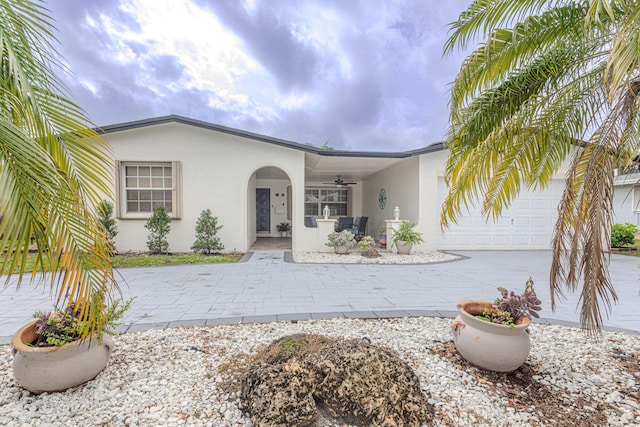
[511, 308]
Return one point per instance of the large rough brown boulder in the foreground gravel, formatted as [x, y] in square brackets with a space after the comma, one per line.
[306, 379]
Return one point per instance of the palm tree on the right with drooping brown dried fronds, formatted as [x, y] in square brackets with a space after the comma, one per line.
[554, 81]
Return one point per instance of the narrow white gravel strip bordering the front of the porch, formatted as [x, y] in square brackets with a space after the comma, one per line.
[354, 257]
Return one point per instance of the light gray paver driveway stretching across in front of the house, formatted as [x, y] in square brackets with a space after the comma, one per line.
[266, 288]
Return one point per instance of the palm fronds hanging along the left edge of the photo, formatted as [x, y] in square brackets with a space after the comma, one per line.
[53, 170]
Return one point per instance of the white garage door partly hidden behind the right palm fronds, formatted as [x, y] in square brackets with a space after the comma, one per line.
[528, 224]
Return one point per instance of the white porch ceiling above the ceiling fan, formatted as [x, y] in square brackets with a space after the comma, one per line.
[352, 168]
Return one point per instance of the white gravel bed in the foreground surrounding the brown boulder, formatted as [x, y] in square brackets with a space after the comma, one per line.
[171, 377]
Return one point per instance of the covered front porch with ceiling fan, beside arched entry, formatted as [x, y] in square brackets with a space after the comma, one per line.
[350, 184]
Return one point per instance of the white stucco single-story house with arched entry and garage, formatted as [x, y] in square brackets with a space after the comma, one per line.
[253, 182]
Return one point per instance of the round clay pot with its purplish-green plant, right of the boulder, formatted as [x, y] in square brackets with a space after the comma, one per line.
[494, 335]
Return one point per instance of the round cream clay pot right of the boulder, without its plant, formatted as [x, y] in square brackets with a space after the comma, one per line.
[489, 345]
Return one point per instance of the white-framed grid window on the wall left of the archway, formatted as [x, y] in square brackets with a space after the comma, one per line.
[144, 186]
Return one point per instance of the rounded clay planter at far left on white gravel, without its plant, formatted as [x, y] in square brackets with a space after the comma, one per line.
[46, 369]
